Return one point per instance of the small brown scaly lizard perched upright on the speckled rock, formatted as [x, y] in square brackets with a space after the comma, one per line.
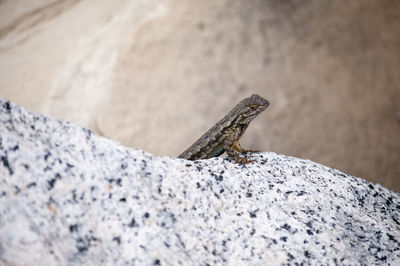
[225, 135]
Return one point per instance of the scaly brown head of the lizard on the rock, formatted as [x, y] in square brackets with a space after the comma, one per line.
[250, 107]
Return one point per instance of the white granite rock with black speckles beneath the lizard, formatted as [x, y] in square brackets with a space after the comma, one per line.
[68, 197]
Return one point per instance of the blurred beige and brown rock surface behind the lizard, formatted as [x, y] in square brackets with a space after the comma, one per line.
[156, 74]
